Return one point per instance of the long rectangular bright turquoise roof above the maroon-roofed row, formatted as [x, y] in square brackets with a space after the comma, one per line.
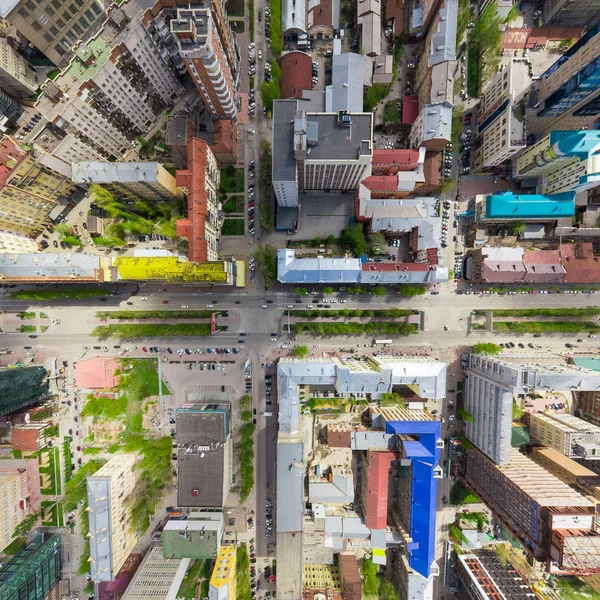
[530, 206]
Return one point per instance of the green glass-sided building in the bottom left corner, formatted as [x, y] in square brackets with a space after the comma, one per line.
[35, 571]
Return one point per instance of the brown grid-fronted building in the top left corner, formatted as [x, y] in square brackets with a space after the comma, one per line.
[55, 27]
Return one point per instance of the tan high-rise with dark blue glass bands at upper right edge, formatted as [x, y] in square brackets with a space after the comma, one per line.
[567, 95]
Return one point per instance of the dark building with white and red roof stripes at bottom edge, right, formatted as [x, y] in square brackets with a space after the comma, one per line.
[482, 576]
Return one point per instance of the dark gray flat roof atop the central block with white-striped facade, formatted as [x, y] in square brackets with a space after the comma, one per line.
[340, 143]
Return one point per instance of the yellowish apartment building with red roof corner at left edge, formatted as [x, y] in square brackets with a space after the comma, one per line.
[34, 188]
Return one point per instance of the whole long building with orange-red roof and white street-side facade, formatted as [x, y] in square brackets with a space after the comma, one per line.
[201, 180]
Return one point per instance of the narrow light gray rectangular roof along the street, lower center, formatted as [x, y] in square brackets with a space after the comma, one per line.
[290, 487]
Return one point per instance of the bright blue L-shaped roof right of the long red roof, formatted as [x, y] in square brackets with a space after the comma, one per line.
[425, 456]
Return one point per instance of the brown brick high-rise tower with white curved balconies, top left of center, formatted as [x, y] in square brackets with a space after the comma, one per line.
[211, 55]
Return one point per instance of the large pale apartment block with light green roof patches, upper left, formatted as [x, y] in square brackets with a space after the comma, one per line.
[113, 90]
